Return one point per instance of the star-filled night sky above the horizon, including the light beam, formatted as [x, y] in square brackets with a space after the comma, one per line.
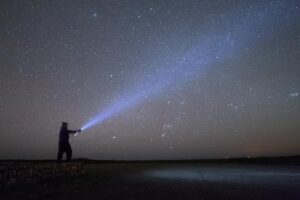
[150, 79]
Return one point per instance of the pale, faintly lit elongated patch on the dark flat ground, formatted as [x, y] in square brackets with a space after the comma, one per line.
[236, 174]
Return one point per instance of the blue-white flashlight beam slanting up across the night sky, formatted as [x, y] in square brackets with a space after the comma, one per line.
[208, 51]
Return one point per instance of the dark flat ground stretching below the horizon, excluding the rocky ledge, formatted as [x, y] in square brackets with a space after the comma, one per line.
[173, 180]
